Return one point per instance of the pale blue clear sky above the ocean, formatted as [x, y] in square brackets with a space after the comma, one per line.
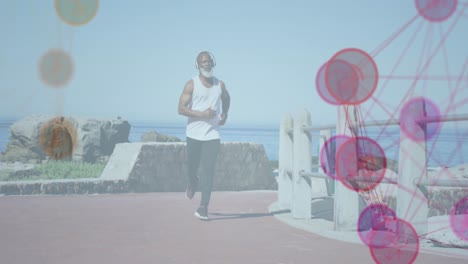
[134, 57]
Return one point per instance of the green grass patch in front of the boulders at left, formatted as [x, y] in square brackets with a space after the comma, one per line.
[60, 170]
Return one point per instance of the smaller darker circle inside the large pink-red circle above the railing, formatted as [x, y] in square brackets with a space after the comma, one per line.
[342, 81]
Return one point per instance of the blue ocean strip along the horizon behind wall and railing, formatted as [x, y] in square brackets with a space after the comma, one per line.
[447, 148]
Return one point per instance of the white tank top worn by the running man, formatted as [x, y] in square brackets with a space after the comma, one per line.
[203, 98]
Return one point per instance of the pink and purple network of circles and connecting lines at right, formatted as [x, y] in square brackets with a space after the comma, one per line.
[414, 83]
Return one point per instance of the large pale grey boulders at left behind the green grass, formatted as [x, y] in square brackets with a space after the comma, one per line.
[94, 138]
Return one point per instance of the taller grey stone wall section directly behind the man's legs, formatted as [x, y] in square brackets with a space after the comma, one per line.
[240, 166]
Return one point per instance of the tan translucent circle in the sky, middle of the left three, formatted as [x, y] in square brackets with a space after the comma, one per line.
[56, 68]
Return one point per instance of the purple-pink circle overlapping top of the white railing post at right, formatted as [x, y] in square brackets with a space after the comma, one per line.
[413, 116]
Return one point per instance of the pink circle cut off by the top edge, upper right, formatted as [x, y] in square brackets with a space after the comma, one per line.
[436, 10]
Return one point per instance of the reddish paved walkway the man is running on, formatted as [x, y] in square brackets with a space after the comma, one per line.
[161, 228]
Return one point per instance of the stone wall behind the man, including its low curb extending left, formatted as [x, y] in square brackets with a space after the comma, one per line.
[156, 167]
